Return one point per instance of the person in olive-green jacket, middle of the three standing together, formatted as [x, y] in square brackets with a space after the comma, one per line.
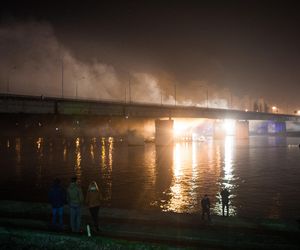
[75, 199]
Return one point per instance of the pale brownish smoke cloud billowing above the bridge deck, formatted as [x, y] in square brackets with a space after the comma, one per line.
[33, 62]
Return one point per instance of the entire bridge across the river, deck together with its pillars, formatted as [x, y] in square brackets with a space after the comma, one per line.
[124, 112]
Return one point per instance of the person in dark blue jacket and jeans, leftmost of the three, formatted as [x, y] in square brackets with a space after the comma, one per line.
[57, 198]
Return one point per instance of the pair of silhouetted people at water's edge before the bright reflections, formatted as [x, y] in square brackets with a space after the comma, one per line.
[205, 204]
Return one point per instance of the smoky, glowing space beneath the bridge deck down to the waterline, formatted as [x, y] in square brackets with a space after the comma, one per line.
[137, 131]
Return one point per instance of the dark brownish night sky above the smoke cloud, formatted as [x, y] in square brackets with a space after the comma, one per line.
[248, 47]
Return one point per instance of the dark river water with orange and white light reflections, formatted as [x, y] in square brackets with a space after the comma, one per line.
[261, 173]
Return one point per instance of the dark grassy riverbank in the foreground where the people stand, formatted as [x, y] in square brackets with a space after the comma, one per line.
[123, 229]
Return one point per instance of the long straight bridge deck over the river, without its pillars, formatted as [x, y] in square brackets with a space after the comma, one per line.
[21, 104]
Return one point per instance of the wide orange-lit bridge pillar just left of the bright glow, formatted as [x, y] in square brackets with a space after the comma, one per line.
[163, 132]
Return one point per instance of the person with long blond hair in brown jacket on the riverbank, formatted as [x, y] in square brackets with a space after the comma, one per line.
[93, 201]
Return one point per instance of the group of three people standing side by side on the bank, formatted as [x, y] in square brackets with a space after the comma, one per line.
[58, 197]
